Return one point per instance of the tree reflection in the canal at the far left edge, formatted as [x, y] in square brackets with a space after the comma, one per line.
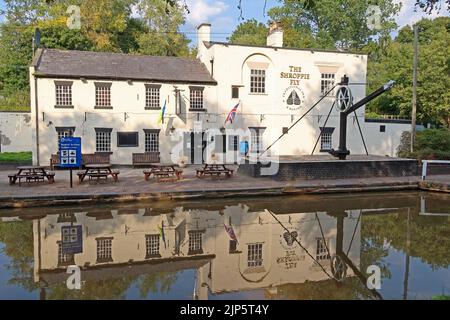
[17, 238]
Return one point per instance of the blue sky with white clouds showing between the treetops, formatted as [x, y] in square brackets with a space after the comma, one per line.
[224, 15]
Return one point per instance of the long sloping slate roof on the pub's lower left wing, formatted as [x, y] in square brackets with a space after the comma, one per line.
[117, 66]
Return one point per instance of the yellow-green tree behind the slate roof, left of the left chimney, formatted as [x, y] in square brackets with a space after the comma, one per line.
[163, 37]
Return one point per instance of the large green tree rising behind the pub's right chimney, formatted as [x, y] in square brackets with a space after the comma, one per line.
[330, 24]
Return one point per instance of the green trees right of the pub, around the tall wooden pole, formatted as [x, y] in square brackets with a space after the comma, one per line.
[393, 60]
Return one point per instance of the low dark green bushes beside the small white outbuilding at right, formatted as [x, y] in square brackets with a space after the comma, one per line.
[429, 144]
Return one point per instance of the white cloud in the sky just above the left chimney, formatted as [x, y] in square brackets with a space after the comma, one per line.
[204, 10]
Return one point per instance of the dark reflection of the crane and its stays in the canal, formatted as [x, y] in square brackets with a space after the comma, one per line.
[340, 261]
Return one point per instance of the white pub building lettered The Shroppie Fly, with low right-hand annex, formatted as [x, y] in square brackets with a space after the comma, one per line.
[123, 104]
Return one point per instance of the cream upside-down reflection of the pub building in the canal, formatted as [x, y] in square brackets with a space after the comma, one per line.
[265, 255]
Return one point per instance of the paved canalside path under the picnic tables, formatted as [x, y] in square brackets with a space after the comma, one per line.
[132, 184]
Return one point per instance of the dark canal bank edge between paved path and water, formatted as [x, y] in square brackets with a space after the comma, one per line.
[61, 200]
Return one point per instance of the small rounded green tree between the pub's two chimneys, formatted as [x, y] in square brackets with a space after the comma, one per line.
[250, 32]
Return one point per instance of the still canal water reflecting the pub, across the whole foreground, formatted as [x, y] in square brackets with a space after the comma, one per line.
[300, 247]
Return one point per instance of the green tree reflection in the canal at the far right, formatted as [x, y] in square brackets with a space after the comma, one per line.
[429, 236]
